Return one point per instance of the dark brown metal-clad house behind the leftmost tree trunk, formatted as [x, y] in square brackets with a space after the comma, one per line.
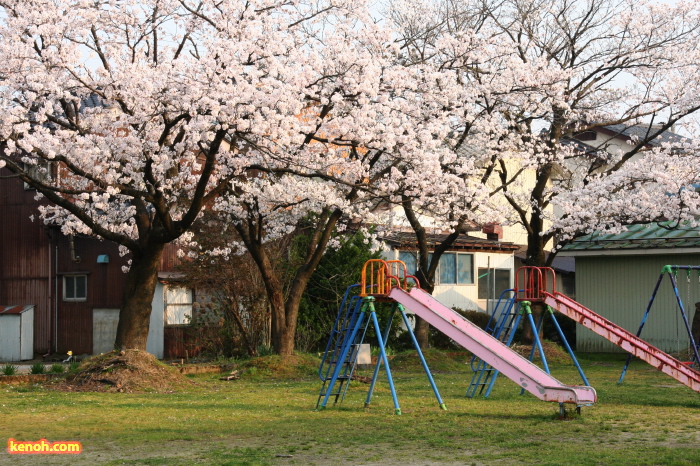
[75, 283]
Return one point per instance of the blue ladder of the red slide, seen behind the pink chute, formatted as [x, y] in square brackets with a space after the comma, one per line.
[502, 326]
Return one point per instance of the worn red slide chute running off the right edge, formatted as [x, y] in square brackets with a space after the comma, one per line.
[625, 340]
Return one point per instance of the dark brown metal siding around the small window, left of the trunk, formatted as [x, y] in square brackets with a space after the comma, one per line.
[28, 272]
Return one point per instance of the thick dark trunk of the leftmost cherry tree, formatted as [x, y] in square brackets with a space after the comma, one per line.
[135, 314]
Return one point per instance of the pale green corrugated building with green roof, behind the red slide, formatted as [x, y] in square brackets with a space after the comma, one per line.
[616, 275]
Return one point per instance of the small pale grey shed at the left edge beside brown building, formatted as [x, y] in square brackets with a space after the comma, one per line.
[16, 333]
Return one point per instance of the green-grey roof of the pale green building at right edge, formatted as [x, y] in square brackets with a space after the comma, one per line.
[644, 236]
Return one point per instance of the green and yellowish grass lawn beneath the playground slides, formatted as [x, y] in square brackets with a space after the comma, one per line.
[262, 419]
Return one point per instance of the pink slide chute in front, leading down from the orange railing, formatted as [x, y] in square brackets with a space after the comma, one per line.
[493, 352]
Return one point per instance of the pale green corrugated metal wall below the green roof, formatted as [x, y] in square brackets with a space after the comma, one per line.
[619, 289]
